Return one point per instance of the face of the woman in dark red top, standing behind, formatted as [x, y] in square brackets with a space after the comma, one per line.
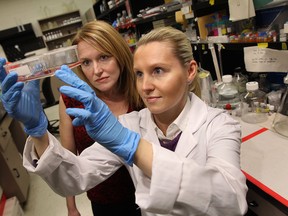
[101, 70]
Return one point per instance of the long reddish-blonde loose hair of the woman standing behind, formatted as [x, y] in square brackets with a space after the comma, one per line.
[104, 38]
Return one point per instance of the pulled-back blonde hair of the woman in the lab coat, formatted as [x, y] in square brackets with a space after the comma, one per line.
[181, 48]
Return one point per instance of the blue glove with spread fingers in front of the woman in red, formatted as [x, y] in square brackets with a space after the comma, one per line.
[100, 123]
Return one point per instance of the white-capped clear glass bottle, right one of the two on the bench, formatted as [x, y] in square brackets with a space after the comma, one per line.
[253, 104]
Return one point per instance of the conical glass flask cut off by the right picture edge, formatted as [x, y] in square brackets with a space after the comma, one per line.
[280, 122]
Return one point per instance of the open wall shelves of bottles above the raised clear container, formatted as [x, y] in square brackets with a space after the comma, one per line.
[58, 31]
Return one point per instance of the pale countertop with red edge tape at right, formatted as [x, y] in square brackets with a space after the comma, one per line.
[264, 158]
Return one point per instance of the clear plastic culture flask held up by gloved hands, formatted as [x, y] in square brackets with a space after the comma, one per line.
[44, 65]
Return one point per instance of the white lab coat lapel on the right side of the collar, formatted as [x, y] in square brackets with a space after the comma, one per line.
[197, 117]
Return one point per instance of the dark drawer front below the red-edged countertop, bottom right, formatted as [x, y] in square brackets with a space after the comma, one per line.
[261, 206]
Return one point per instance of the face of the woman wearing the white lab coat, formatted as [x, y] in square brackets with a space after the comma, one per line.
[162, 80]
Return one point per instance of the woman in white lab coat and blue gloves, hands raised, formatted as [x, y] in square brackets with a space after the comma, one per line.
[185, 163]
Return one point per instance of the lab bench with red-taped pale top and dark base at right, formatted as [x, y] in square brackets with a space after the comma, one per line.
[264, 161]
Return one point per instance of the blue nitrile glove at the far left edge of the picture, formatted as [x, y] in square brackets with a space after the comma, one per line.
[22, 102]
